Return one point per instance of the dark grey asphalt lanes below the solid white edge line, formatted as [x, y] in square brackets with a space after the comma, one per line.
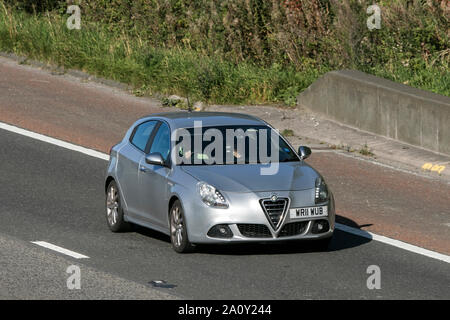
[56, 195]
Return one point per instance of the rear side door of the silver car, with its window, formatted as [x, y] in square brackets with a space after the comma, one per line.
[128, 165]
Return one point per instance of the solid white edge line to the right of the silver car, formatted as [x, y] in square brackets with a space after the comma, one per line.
[393, 242]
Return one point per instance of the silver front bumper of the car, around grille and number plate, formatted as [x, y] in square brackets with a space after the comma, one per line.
[245, 211]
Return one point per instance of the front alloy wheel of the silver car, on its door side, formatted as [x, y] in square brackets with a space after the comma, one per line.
[178, 232]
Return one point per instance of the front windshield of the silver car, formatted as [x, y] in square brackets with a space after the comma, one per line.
[223, 145]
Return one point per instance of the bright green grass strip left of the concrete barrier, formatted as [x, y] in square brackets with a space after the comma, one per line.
[102, 52]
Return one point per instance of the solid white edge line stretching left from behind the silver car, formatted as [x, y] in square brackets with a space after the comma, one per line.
[54, 141]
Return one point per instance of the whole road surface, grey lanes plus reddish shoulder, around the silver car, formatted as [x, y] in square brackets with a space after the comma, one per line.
[56, 195]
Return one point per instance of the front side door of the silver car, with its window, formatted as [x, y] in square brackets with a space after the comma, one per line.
[153, 183]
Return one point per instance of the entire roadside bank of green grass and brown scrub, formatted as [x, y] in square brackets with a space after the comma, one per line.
[234, 51]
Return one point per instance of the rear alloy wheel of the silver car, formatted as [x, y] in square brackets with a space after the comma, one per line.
[114, 210]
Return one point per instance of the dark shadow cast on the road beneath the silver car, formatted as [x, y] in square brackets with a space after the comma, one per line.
[342, 240]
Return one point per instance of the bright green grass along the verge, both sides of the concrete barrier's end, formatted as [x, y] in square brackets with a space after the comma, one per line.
[126, 57]
